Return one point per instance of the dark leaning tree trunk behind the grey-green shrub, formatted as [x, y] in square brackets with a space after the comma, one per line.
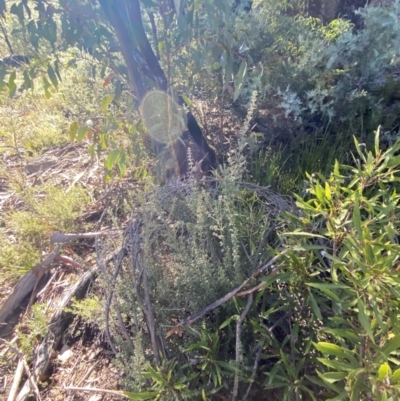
[126, 19]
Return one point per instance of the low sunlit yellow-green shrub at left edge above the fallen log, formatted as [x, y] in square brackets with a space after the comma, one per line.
[25, 232]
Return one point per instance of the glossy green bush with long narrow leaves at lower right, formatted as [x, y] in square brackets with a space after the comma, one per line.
[323, 323]
